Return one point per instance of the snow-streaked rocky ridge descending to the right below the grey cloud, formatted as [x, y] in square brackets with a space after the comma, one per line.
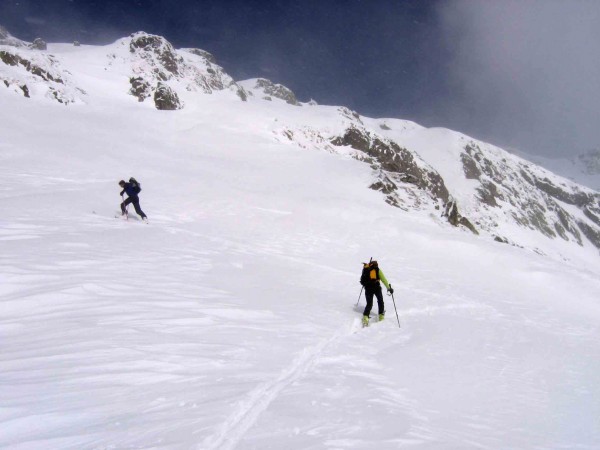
[481, 188]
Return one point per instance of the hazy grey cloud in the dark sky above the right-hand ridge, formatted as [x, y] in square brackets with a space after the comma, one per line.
[527, 73]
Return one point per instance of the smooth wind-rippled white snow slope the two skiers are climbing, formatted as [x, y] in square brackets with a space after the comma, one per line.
[230, 320]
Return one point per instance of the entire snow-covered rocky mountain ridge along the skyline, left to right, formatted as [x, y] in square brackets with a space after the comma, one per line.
[471, 183]
